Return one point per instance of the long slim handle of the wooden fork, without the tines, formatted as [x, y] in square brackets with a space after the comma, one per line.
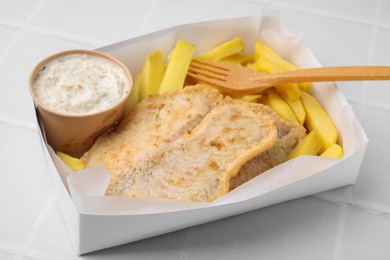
[346, 73]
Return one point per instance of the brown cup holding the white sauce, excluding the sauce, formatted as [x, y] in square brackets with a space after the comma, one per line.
[75, 134]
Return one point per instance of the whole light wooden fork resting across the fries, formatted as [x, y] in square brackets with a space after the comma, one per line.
[239, 80]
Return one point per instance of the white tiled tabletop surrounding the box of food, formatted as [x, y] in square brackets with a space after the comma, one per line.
[347, 223]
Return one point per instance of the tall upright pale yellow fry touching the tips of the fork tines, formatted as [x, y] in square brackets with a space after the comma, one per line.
[177, 68]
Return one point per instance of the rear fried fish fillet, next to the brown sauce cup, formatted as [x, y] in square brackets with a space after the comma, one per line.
[154, 122]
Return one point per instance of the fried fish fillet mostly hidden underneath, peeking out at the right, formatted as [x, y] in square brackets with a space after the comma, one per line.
[289, 135]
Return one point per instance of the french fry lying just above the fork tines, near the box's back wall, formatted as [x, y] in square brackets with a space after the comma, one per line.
[224, 50]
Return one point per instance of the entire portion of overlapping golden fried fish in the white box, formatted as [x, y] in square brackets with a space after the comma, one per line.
[192, 144]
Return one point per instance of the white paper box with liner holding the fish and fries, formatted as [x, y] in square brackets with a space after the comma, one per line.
[95, 222]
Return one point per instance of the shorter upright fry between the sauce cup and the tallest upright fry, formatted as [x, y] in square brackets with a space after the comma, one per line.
[152, 74]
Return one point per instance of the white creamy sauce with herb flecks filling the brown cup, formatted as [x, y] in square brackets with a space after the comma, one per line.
[80, 84]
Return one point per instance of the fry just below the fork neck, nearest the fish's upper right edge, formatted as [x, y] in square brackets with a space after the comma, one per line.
[277, 103]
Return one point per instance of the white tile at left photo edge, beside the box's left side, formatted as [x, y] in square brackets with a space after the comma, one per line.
[24, 183]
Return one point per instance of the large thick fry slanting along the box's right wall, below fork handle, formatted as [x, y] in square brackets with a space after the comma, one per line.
[318, 120]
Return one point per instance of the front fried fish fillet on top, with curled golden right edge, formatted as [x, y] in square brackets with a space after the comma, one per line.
[199, 164]
